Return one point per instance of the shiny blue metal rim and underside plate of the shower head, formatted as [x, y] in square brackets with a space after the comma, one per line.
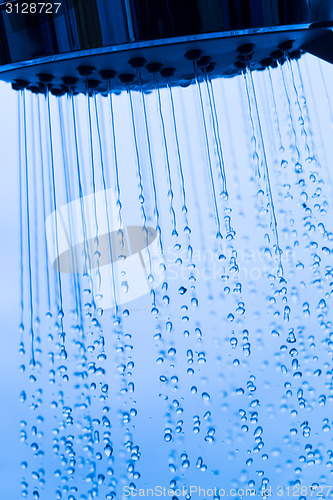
[221, 47]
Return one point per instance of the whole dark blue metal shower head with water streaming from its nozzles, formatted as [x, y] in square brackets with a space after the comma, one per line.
[84, 44]
